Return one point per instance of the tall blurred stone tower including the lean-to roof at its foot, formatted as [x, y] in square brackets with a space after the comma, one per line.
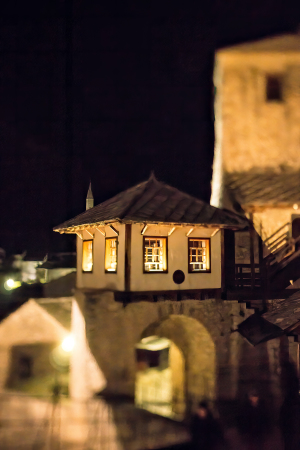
[257, 127]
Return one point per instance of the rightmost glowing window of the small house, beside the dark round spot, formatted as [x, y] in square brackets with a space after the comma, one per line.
[199, 255]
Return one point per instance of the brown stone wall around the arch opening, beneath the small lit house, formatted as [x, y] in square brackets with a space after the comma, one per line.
[219, 363]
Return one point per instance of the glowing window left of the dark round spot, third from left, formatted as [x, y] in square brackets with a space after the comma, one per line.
[155, 254]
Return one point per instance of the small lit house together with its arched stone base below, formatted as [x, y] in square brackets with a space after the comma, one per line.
[152, 264]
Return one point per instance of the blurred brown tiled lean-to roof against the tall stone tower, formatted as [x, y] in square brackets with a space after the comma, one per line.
[264, 188]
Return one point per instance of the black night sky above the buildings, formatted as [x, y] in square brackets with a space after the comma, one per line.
[109, 91]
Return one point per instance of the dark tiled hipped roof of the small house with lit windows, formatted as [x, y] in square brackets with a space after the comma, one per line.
[155, 202]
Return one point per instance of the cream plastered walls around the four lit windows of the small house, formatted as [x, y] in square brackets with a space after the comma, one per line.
[139, 281]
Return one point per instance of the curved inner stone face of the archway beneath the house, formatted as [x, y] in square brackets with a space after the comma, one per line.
[195, 344]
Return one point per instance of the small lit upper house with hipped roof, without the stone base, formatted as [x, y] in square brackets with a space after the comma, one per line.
[150, 239]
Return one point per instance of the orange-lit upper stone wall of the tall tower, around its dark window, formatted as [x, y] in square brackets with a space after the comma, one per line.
[255, 132]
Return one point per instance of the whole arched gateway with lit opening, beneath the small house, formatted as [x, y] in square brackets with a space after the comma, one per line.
[175, 366]
